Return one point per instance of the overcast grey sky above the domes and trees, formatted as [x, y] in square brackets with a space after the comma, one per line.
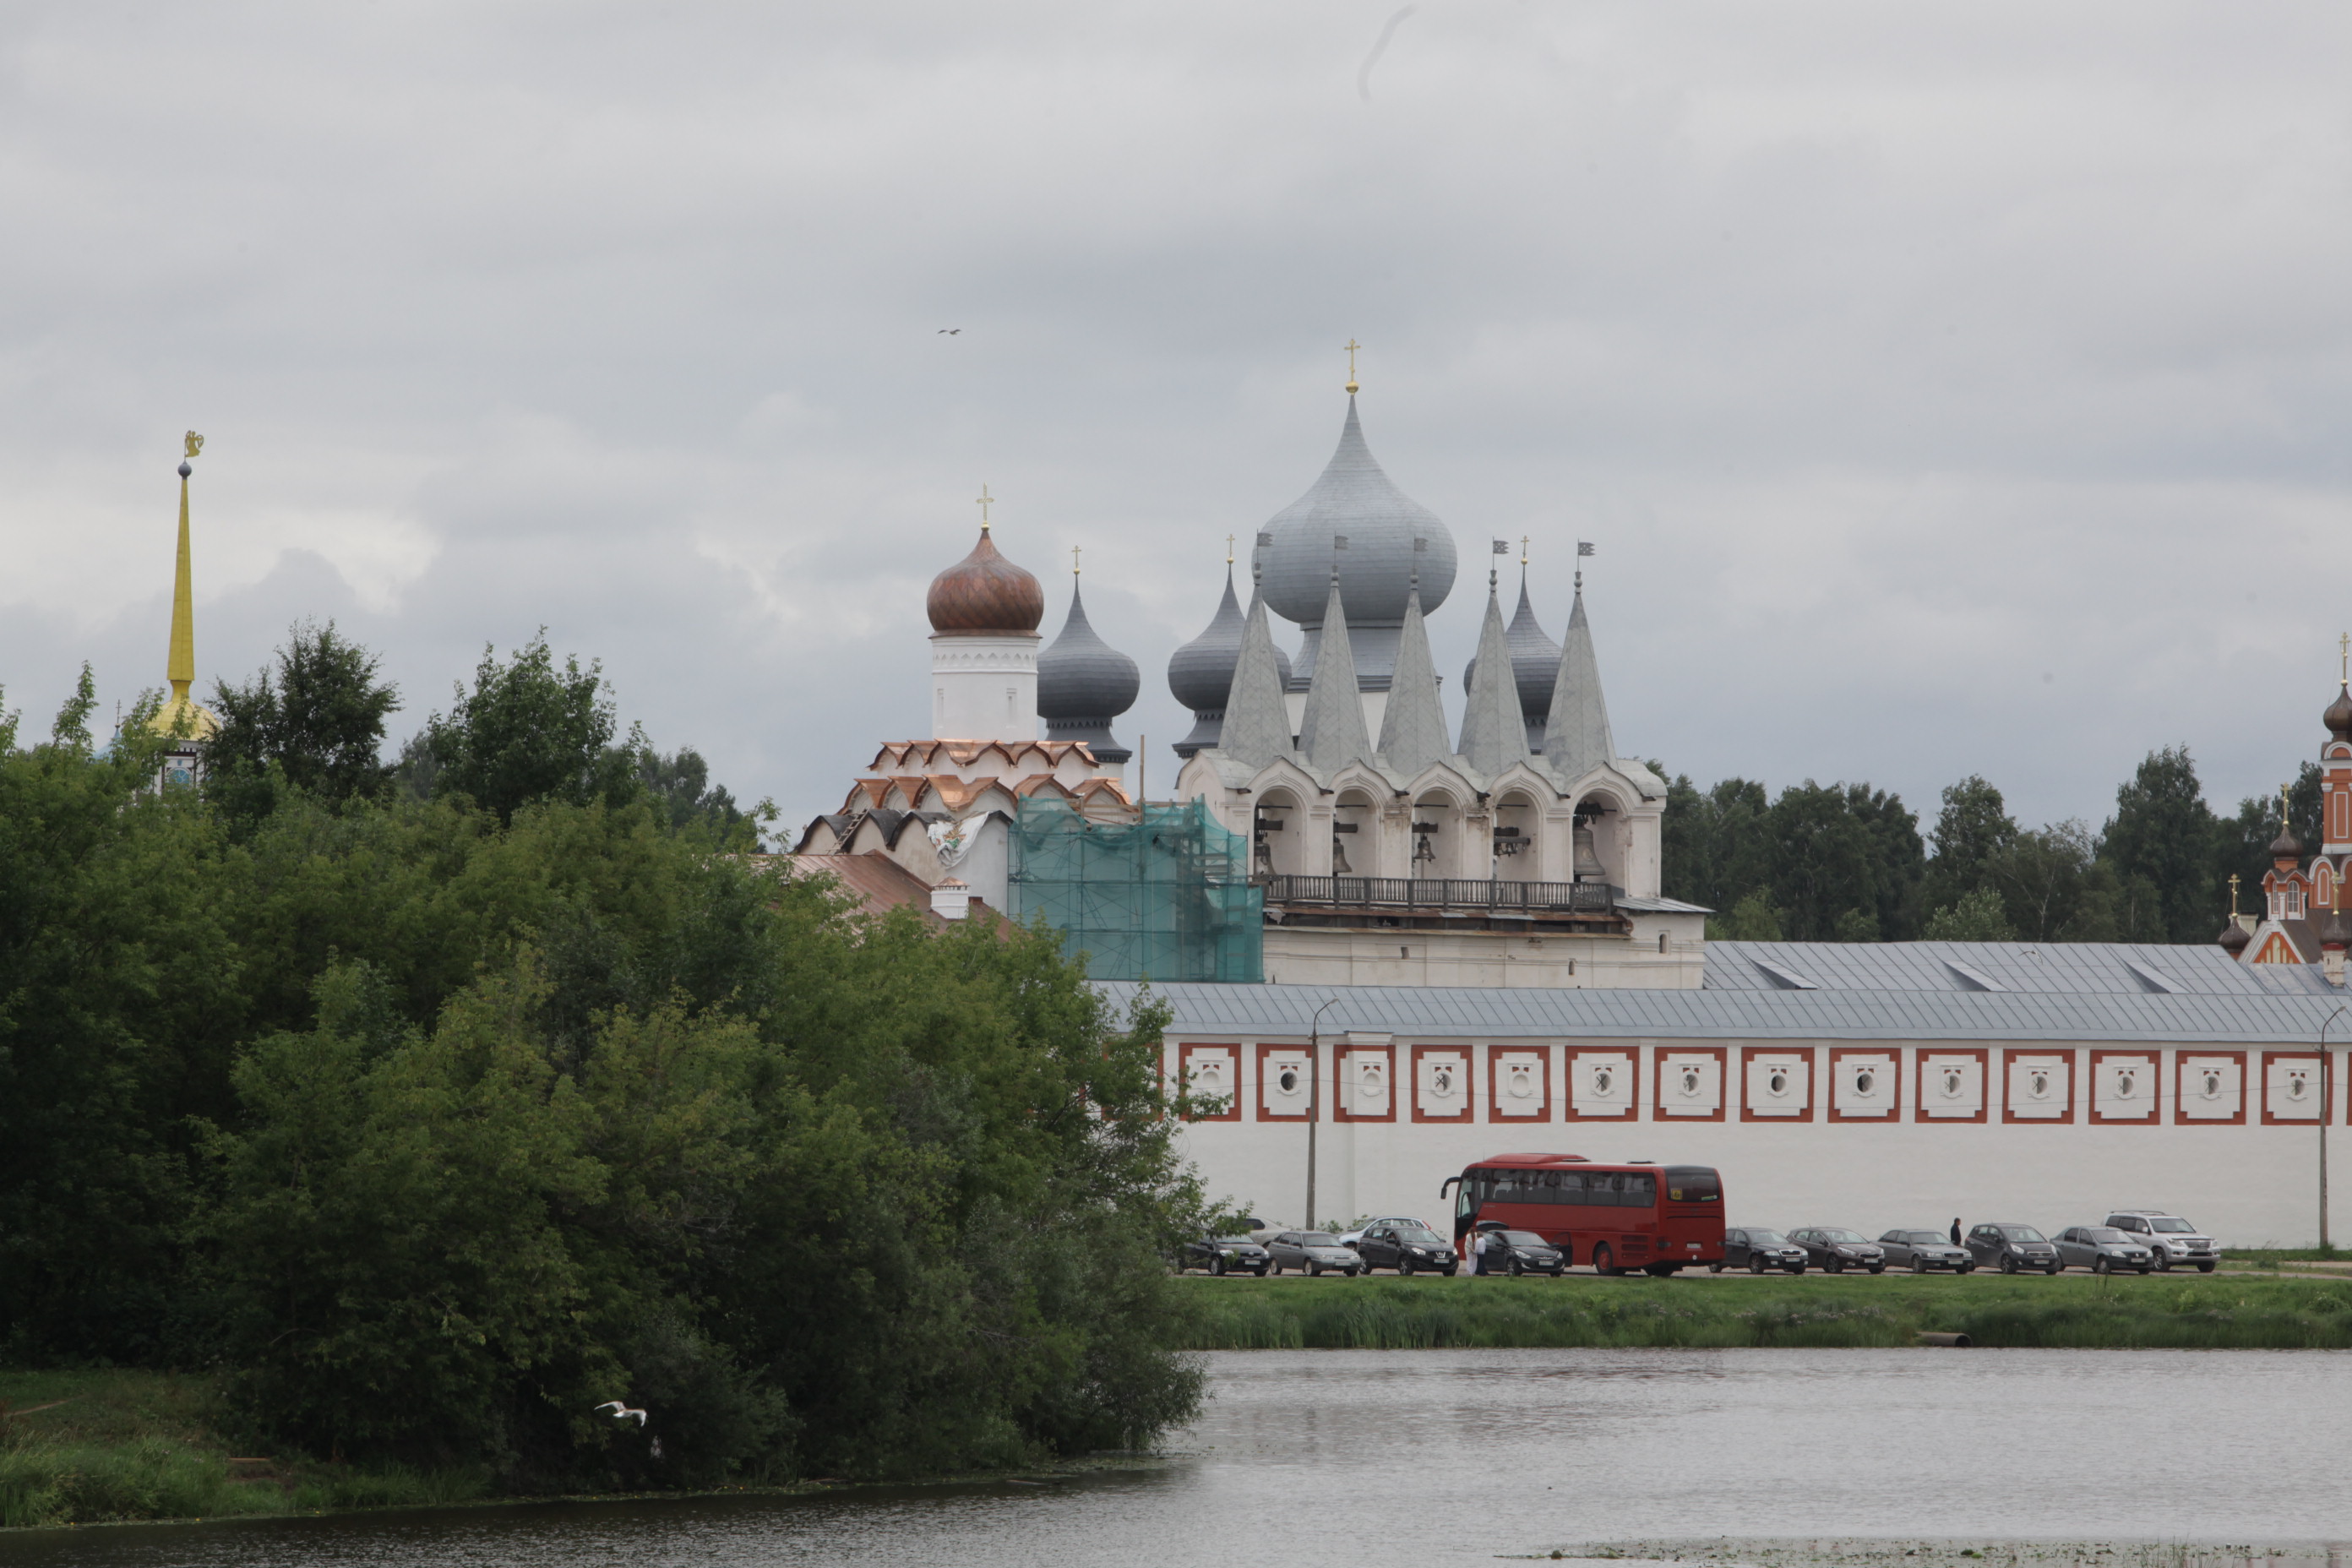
[1946, 389]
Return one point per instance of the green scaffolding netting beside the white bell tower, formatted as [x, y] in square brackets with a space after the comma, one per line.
[1161, 899]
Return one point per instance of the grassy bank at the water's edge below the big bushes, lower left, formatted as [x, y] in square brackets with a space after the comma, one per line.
[121, 1445]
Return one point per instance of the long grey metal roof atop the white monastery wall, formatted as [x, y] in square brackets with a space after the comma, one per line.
[2090, 993]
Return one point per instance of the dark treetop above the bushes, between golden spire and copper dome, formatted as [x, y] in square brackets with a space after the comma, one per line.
[530, 732]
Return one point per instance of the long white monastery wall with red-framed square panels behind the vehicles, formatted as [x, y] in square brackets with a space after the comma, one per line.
[1805, 1134]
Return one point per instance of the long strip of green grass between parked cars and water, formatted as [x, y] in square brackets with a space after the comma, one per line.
[2069, 1313]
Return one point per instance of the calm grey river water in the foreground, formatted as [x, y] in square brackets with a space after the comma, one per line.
[1405, 1459]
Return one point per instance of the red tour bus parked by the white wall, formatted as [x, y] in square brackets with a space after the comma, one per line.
[1619, 1219]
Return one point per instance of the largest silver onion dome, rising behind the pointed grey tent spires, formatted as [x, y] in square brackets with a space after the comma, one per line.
[1361, 502]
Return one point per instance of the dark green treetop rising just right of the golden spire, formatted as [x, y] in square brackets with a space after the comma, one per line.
[314, 723]
